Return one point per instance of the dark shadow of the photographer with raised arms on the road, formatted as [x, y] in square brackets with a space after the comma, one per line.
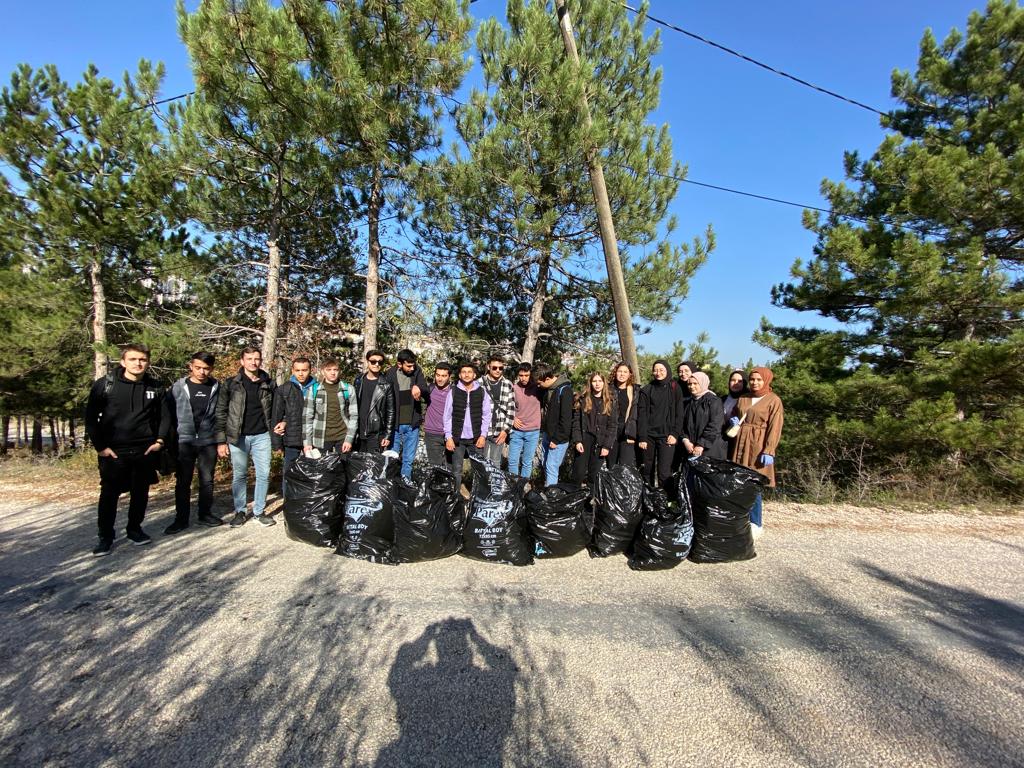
[455, 695]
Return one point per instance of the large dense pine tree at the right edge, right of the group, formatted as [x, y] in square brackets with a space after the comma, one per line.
[920, 263]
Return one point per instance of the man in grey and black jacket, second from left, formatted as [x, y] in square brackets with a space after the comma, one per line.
[193, 403]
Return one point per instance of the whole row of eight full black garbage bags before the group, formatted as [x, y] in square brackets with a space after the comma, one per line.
[360, 505]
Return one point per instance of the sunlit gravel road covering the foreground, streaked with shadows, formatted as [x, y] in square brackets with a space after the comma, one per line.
[857, 638]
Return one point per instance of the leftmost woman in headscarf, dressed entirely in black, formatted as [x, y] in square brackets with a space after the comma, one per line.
[659, 424]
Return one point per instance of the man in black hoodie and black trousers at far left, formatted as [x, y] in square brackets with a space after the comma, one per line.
[127, 422]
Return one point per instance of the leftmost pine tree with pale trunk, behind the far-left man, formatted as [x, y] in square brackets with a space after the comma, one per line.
[89, 226]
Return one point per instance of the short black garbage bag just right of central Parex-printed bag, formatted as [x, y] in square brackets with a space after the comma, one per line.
[561, 519]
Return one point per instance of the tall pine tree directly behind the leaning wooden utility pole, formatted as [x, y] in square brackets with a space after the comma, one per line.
[513, 222]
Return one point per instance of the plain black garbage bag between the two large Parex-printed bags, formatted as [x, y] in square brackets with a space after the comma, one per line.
[429, 517]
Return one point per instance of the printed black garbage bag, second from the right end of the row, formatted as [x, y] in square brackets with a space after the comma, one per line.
[665, 536]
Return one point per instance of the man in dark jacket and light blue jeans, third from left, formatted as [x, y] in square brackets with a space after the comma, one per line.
[243, 432]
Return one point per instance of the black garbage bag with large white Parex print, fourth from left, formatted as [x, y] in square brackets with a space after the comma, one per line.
[496, 529]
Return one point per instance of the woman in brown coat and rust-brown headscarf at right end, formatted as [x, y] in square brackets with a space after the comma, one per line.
[759, 414]
